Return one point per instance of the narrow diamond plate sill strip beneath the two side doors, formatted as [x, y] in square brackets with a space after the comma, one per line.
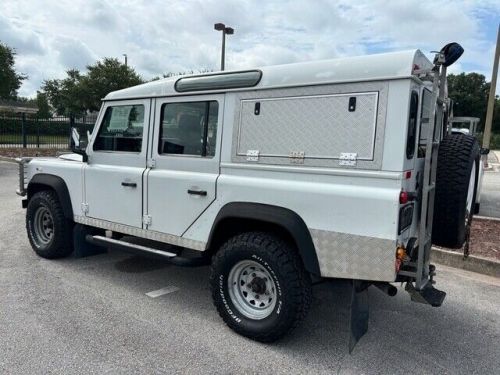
[139, 232]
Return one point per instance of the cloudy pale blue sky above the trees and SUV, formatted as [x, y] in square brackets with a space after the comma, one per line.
[173, 36]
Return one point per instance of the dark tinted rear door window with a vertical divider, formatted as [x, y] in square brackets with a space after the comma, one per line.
[189, 128]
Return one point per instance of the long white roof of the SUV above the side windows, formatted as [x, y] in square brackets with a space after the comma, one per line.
[392, 65]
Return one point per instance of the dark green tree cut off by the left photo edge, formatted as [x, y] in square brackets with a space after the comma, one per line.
[10, 81]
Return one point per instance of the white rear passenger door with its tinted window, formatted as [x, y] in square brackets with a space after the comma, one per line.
[185, 153]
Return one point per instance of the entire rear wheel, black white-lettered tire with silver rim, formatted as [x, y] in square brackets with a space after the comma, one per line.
[259, 286]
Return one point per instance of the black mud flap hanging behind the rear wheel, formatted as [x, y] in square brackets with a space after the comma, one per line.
[359, 312]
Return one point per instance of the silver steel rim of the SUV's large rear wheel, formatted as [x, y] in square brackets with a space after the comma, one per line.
[252, 290]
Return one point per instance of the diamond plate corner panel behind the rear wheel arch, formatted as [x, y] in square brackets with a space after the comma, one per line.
[350, 256]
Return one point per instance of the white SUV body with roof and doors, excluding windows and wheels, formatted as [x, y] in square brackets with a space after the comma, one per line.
[351, 211]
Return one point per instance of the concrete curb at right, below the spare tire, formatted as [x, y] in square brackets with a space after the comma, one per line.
[473, 263]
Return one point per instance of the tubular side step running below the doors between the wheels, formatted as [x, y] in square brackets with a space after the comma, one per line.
[140, 249]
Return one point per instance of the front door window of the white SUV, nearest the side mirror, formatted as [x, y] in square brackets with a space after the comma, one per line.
[121, 129]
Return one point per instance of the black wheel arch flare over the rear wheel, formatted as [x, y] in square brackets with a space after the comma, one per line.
[237, 217]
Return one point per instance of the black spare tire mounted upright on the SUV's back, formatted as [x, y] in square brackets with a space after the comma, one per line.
[457, 154]
